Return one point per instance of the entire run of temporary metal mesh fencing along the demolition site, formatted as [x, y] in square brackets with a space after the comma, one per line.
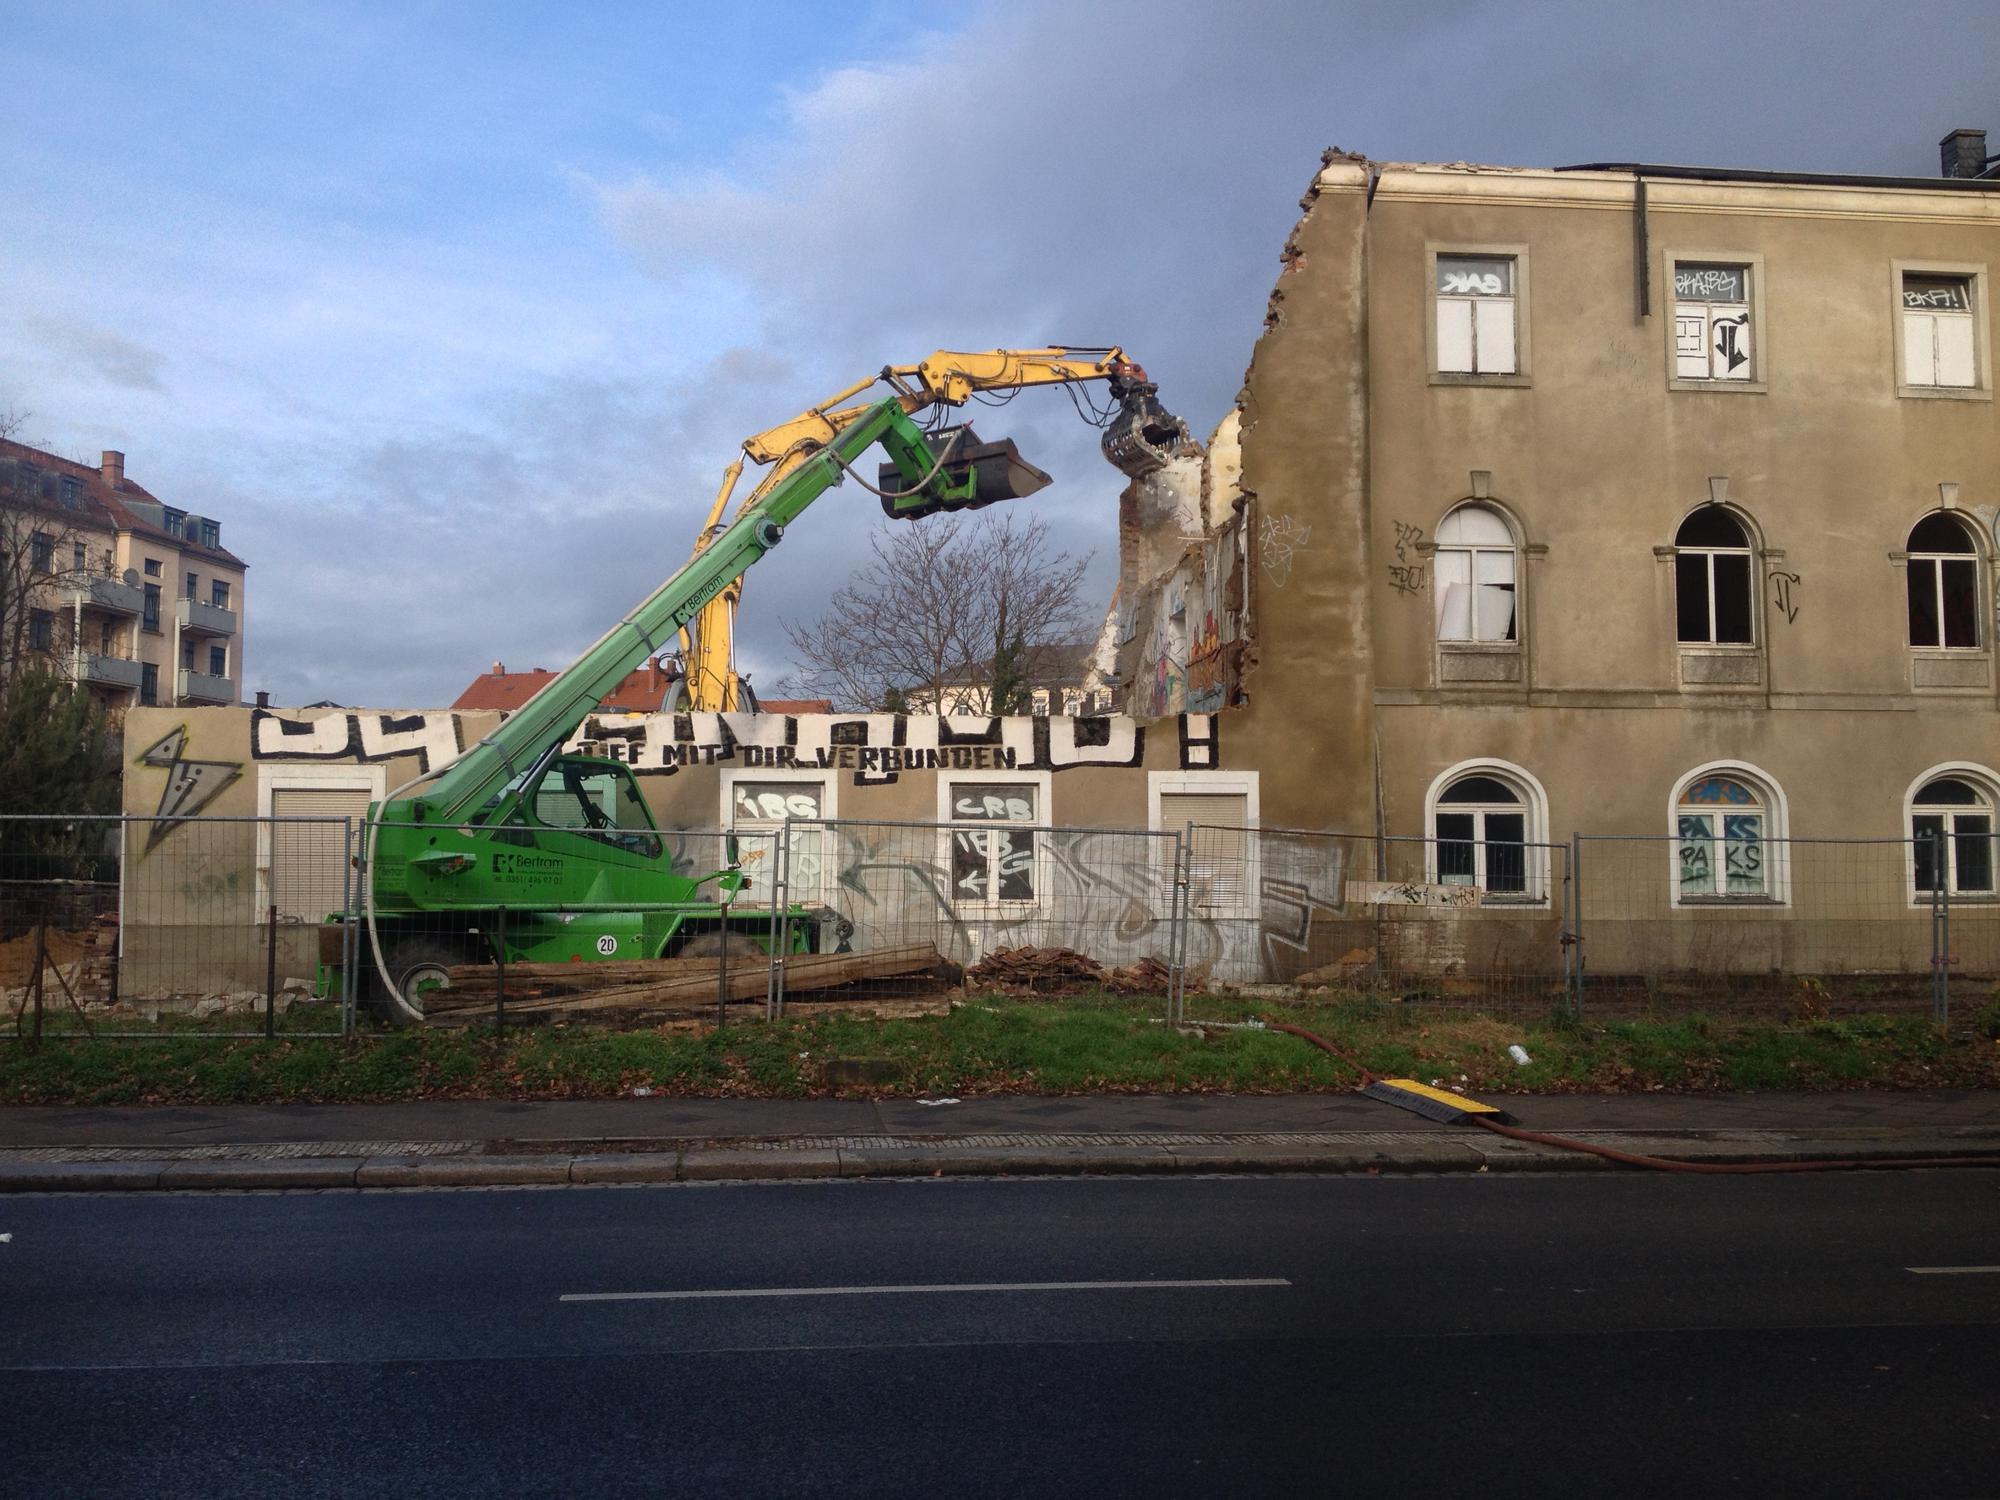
[245, 927]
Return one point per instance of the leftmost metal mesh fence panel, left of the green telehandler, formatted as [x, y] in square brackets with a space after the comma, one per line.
[153, 927]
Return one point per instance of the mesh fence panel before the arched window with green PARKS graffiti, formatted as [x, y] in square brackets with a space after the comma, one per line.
[1791, 927]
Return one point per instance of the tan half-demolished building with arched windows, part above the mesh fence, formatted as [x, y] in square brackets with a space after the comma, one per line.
[1635, 501]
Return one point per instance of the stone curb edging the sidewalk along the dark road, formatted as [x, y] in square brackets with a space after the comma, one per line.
[1471, 1153]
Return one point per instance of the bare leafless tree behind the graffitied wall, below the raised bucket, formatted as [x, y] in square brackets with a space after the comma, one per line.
[919, 623]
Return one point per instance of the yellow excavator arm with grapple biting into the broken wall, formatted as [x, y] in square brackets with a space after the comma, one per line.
[1139, 439]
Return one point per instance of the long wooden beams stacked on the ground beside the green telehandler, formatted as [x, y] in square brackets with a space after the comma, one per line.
[663, 985]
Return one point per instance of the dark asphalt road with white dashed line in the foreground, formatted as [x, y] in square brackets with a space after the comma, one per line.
[1383, 1337]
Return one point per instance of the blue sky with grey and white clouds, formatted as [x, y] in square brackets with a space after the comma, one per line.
[455, 313]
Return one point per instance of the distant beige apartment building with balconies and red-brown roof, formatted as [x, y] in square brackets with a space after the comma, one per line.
[133, 597]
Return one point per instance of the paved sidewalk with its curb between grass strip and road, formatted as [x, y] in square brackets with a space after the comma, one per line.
[481, 1143]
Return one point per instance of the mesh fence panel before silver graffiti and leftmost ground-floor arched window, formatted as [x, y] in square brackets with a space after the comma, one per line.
[1471, 925]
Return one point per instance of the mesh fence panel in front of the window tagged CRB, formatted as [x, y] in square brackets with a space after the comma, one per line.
[993, 903]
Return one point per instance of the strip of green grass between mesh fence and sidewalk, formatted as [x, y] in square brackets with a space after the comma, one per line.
[1039, 1047]
